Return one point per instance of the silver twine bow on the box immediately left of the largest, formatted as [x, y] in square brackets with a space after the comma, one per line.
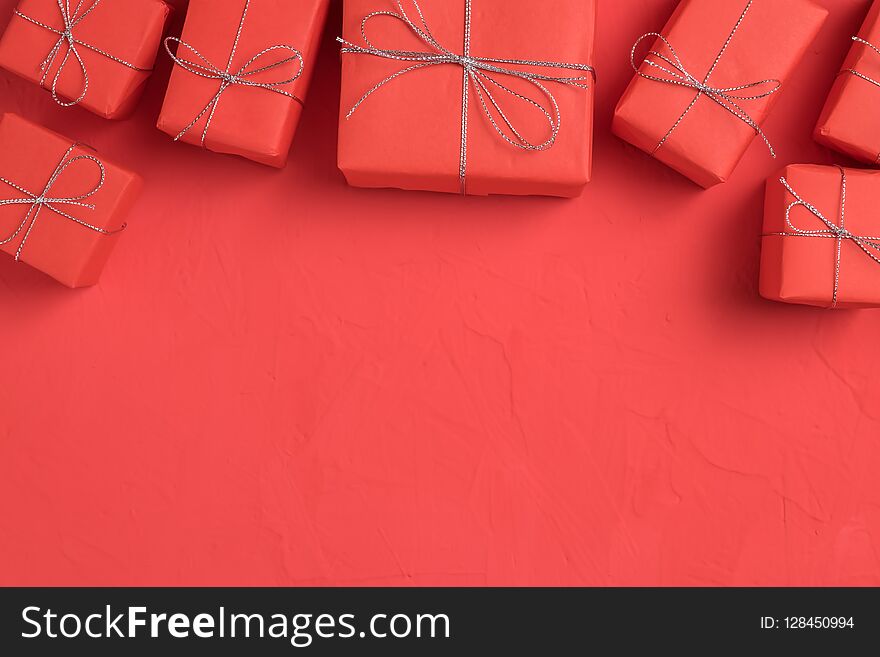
[227, 77]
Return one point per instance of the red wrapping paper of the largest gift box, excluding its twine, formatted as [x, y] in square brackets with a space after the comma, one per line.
[407, 135]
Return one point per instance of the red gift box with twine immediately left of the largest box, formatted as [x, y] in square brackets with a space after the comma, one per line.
[242, 71]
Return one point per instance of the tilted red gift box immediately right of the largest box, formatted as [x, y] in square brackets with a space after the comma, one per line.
[718, 74]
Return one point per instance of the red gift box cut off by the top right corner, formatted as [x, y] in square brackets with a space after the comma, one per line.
[850, 121]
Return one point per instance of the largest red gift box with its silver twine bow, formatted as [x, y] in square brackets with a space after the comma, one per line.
[416, 132]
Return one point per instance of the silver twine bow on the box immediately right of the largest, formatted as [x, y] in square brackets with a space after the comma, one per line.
[728, 98]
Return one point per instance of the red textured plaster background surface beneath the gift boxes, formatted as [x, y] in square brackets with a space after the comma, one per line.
[282, 380]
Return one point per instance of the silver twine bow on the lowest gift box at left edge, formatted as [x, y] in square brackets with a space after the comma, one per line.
[44, 200]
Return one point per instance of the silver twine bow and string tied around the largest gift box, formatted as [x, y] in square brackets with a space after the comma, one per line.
[479, 72]
